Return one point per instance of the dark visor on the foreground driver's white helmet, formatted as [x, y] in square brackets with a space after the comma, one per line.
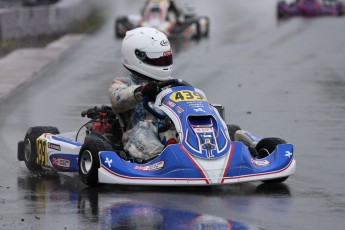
[155, 58]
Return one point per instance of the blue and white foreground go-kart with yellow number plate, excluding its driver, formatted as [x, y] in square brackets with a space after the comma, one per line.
[200, 148]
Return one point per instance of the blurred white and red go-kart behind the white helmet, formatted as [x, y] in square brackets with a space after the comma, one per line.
[158, 14]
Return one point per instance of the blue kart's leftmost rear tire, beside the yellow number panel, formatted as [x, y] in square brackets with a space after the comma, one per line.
[30, 149]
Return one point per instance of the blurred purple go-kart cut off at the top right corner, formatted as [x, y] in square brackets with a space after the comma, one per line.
[309, 8]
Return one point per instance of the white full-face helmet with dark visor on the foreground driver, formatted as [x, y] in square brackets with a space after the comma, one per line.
[147, 51]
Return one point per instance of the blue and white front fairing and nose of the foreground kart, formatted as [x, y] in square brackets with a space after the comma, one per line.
[205, 154]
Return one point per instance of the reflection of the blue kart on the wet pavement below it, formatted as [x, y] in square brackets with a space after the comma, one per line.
[120, 207]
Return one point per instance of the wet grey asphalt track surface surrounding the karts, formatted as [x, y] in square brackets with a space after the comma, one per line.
[282, 79]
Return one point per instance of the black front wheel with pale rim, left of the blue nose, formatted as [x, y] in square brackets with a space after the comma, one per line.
[89, 159]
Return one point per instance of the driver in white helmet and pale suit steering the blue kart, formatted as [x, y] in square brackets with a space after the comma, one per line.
[147, 54]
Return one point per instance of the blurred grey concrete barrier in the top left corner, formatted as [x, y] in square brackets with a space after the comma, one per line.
[43, 20]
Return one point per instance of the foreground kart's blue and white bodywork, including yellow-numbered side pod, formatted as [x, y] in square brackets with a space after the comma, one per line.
[203, 155]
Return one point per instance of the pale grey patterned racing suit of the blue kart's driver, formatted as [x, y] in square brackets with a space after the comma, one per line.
[141, 138]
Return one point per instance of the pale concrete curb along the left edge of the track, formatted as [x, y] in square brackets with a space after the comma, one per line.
[23, 65]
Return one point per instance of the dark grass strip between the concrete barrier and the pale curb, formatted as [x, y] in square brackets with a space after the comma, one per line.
[89, 25]
